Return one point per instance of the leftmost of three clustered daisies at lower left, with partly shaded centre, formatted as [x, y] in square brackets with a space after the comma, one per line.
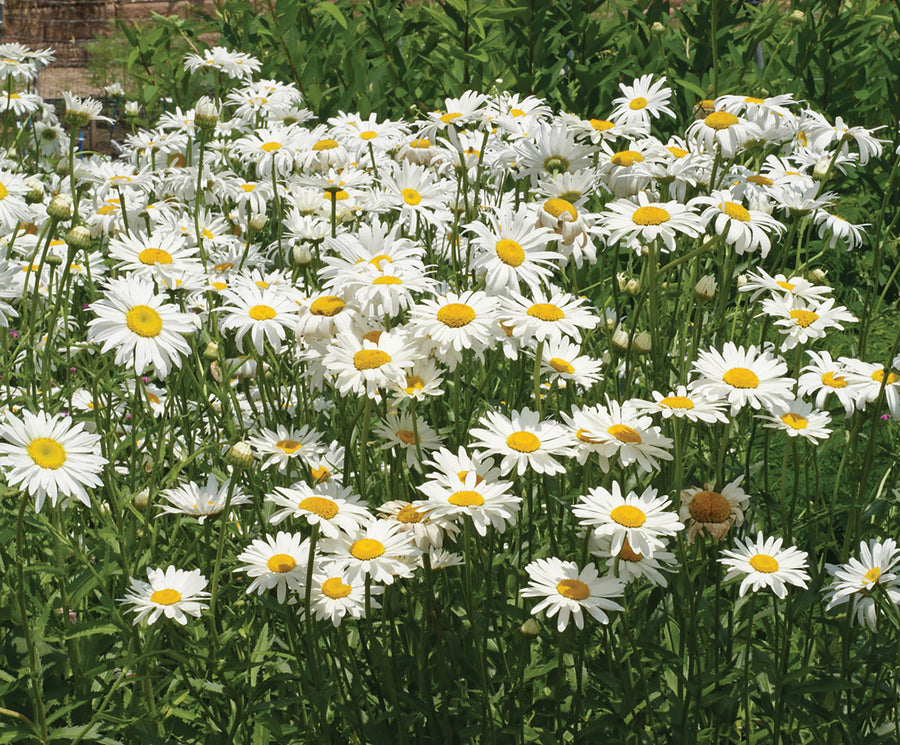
[278, 562]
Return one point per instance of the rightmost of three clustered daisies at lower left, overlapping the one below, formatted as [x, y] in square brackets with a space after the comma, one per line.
[378, 550]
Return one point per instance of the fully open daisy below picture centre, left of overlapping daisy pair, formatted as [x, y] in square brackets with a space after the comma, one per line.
[523, 441]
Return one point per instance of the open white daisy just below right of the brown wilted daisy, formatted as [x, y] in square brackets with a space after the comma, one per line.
[763, 563]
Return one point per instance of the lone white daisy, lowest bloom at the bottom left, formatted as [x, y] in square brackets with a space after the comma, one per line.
[174, 593]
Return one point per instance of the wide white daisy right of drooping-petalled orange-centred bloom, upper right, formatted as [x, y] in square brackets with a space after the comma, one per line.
[641, 223]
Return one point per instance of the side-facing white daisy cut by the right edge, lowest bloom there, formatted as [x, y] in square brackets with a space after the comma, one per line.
[855, 581]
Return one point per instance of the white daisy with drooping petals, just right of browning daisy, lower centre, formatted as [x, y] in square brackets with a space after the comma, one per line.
[487, 503]
